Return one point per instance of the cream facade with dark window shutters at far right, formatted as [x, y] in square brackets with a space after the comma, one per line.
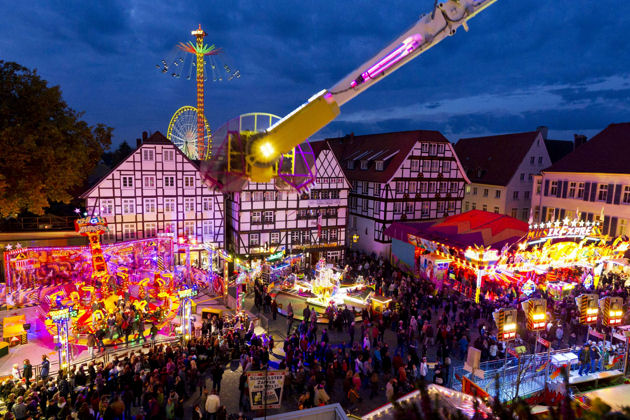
[565, 194]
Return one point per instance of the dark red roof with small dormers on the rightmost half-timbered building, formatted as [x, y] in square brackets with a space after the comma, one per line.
[391, 148]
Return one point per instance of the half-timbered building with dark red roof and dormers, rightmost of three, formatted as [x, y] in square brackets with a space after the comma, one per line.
[411, 175]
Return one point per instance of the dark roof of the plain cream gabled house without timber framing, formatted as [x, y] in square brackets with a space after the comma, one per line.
[493, 160]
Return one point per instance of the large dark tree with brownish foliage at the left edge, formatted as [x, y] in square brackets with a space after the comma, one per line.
[46, 148]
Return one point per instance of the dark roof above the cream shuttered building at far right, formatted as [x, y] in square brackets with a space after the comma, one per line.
[607, 152]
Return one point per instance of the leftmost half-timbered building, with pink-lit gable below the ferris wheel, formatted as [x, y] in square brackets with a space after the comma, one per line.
[158, 189]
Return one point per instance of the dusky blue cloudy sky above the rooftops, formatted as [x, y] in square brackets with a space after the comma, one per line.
[524, 63]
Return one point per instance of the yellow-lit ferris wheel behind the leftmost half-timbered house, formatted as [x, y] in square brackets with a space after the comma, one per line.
[182, 132]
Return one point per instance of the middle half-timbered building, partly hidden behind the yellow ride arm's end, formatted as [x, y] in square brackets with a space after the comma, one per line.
[266, 217]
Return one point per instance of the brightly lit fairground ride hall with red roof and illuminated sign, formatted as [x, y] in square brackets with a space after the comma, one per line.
[478, 252]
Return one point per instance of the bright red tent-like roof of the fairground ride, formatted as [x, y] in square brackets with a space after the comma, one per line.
[475, 227]
